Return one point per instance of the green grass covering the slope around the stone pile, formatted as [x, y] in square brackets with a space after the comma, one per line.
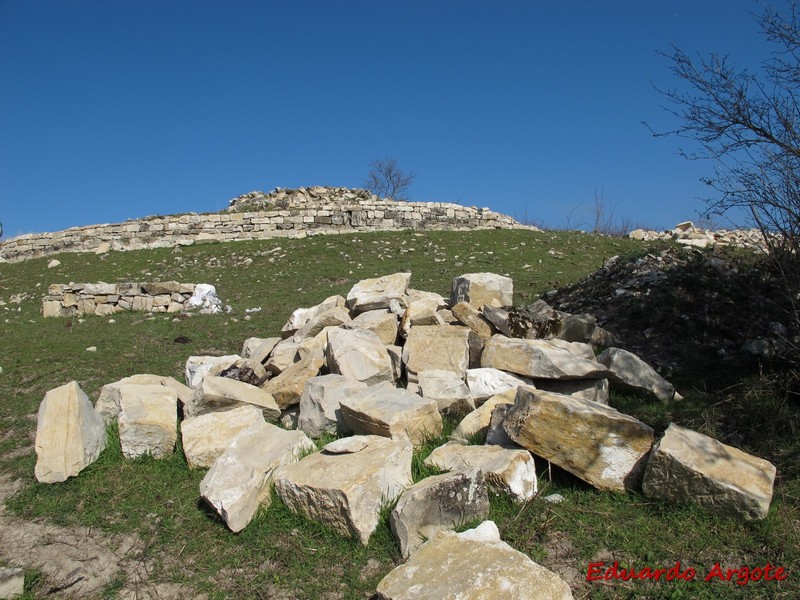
[281, 553]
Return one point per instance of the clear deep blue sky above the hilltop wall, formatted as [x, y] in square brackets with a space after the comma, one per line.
[117, 109]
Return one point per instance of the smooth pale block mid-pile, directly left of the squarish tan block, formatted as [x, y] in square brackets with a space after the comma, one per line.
[359, 354]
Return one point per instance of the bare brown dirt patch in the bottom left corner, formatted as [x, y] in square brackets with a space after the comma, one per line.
[77, 562]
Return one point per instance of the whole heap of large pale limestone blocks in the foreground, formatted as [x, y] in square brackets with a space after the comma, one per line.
[338, 371]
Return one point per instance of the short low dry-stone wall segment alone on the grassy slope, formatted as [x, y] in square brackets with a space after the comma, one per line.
[103, 299]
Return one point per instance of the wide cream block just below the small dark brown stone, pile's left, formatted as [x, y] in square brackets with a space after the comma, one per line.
[221, 393]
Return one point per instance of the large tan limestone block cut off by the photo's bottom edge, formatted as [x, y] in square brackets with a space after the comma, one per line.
[472, 565]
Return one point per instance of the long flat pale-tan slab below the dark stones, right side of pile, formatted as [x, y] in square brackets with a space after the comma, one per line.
[538, 359]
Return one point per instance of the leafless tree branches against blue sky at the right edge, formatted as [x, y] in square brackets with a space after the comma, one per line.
[748, 123]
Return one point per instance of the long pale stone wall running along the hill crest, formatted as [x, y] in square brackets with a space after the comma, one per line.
[314, 215]
